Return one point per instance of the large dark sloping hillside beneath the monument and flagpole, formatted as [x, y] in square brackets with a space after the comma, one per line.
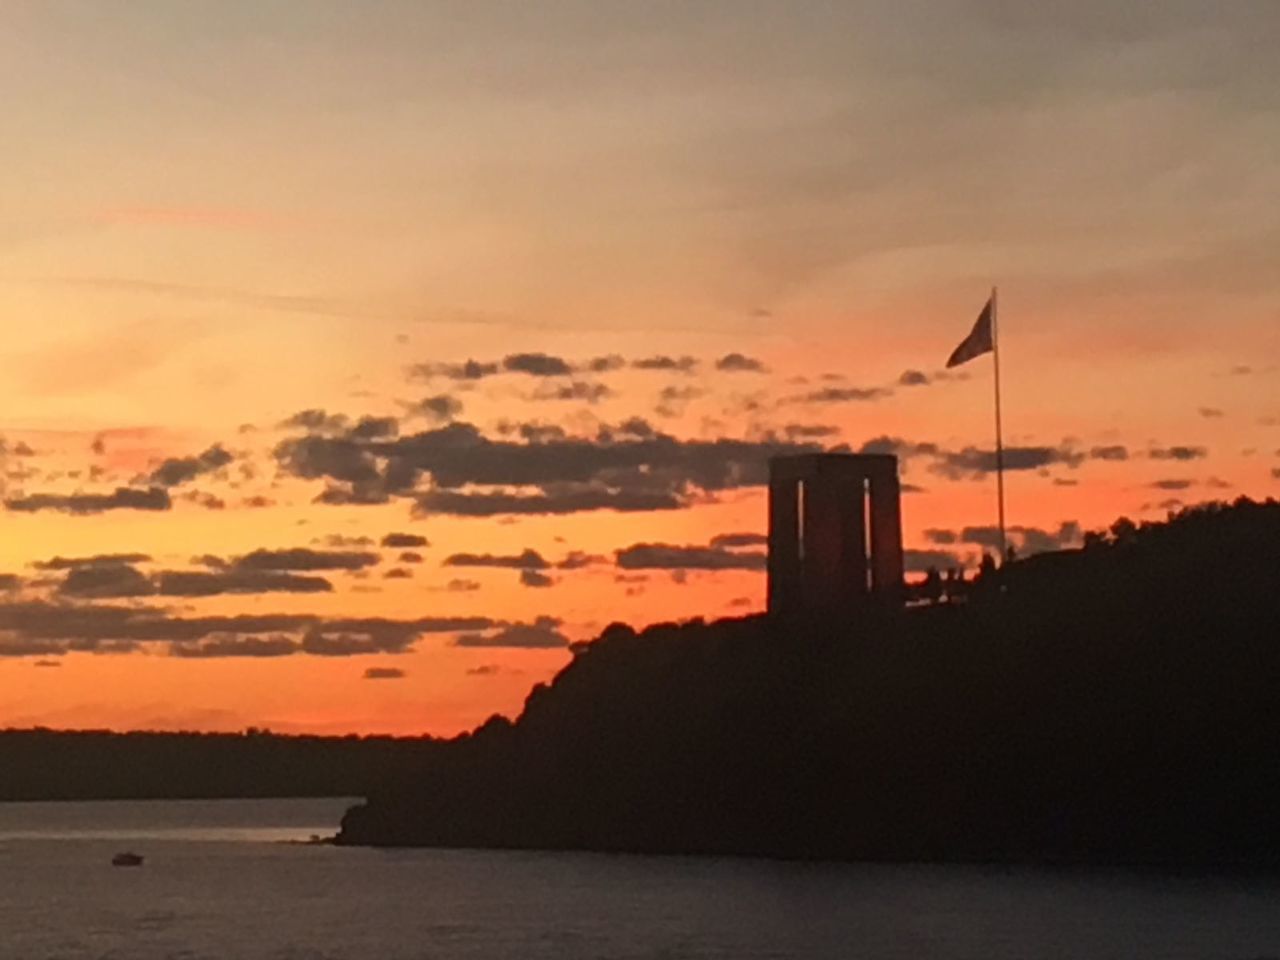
[1119, 703]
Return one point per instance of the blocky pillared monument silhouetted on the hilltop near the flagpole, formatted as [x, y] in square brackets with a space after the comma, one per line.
[835, 533]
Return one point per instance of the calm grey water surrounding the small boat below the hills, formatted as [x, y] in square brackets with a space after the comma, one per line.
[220, 884]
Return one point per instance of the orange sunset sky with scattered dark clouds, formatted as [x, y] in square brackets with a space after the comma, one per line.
[362, 358]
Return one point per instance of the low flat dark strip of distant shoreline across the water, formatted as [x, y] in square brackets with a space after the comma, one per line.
[47, 765]
